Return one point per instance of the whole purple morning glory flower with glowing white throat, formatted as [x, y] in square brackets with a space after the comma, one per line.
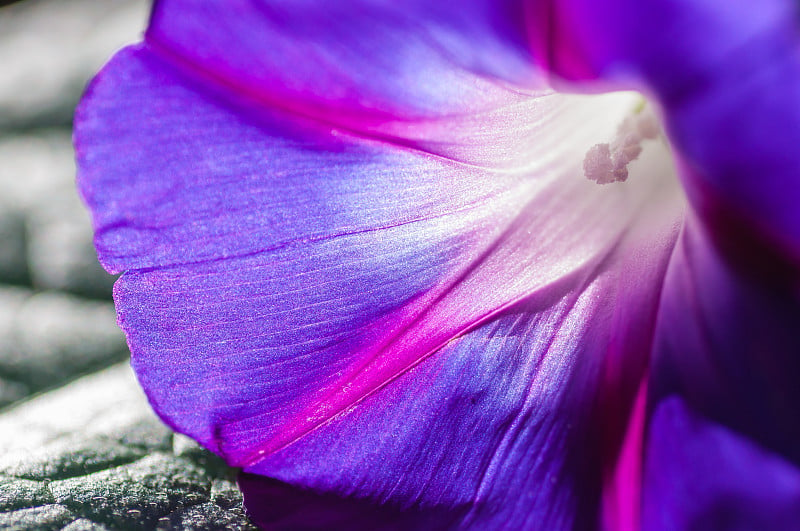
[434, 265]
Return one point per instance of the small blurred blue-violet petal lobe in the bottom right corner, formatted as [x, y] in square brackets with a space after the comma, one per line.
[702, 475]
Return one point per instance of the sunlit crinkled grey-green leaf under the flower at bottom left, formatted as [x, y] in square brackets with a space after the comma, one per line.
[93, 456]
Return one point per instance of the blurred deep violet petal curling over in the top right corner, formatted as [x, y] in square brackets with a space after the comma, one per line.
[728, 78]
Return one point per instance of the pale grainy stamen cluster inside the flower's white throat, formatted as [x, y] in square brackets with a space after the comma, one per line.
[608, 162]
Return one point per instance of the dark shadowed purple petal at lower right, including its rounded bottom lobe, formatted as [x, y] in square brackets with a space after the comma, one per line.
[723, 395]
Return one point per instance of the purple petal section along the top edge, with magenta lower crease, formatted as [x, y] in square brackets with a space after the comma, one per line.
[370, 67]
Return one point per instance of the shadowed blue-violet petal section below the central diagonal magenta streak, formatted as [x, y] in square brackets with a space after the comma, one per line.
[513, 424]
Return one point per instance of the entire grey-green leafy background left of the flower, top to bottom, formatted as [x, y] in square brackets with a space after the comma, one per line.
[79, 447]
